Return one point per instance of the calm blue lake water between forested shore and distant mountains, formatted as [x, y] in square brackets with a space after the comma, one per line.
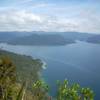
[78, 62]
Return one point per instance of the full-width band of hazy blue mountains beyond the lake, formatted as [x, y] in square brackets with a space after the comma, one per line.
[47, 38]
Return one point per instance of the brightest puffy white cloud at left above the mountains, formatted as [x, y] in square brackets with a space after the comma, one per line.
[18, 20]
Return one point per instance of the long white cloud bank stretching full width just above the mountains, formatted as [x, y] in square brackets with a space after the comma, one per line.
[17, 20]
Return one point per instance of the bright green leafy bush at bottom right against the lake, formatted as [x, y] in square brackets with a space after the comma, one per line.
[73, 92]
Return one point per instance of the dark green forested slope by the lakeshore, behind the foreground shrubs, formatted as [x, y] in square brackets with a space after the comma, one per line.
[27, 68]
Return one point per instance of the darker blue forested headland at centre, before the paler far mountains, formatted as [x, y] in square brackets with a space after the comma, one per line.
[41, 39]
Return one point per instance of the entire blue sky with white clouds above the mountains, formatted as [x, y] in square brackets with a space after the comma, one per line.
[50, 15]
